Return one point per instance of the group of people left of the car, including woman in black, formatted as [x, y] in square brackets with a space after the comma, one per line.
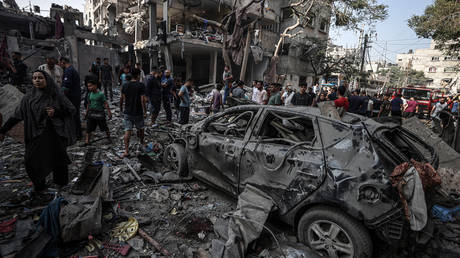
[51, 109]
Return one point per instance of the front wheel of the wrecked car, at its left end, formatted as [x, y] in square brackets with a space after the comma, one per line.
[175, 157]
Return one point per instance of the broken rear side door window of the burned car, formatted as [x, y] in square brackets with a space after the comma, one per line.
[287, 129]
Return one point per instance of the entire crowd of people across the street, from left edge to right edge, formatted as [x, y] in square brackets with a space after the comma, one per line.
[51, 109]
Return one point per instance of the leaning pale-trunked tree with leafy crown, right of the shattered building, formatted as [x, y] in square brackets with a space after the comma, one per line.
[344, 13]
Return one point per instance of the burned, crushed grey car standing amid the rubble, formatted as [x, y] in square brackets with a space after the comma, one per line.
[328, 178]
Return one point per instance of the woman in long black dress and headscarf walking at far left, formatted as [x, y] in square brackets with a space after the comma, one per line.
[48, 130]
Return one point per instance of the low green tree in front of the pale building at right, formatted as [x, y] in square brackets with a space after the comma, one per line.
[397, 77]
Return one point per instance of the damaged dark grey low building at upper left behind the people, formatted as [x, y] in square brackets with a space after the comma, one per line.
[61, 34]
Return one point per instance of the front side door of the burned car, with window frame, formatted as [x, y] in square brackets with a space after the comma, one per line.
[220, 144]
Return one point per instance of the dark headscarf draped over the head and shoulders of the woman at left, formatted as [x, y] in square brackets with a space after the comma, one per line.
[33, 111]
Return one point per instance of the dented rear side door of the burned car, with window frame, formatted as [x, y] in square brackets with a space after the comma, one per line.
[284, 157]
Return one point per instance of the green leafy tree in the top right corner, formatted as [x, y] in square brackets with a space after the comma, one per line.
[440, 22]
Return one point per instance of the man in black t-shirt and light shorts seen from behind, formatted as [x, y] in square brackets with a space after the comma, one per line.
[133, 92]
